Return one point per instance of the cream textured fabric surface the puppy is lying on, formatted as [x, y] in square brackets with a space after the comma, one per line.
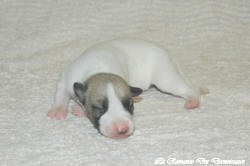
[209, 39]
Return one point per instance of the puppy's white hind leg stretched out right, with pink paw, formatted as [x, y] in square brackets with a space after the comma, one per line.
[168, 80]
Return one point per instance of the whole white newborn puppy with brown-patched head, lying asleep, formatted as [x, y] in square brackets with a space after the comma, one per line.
[105, 77]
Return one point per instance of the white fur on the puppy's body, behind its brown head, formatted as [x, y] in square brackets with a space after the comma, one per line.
[139, 62]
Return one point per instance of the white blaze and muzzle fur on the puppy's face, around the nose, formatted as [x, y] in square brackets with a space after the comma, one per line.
[114, 115]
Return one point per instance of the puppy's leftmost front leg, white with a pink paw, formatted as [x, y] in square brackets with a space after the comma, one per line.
[59, 108]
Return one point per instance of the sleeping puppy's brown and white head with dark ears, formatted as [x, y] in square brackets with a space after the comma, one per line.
[107, 99]
